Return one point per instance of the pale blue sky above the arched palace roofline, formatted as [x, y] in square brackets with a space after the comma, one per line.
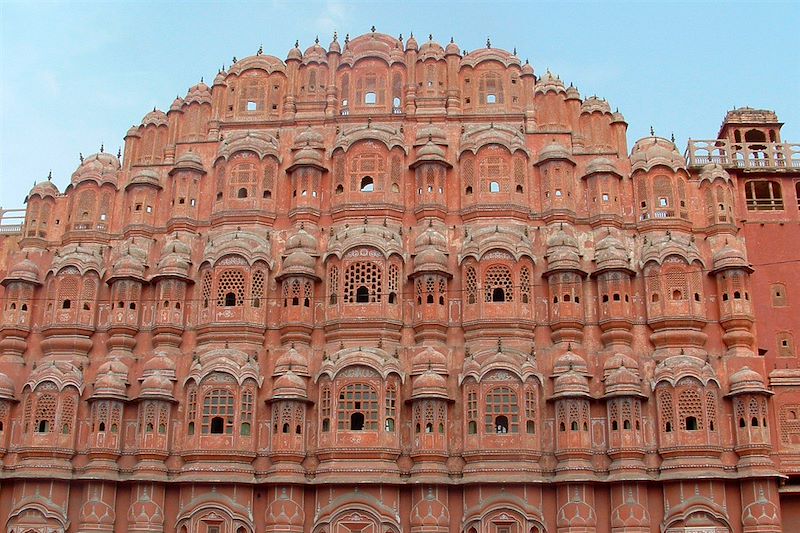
[75, 74]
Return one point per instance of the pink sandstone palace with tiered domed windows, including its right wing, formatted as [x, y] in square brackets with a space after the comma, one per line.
[397, 287]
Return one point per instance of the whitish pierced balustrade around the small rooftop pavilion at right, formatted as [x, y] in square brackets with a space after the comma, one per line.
[752, 156]
